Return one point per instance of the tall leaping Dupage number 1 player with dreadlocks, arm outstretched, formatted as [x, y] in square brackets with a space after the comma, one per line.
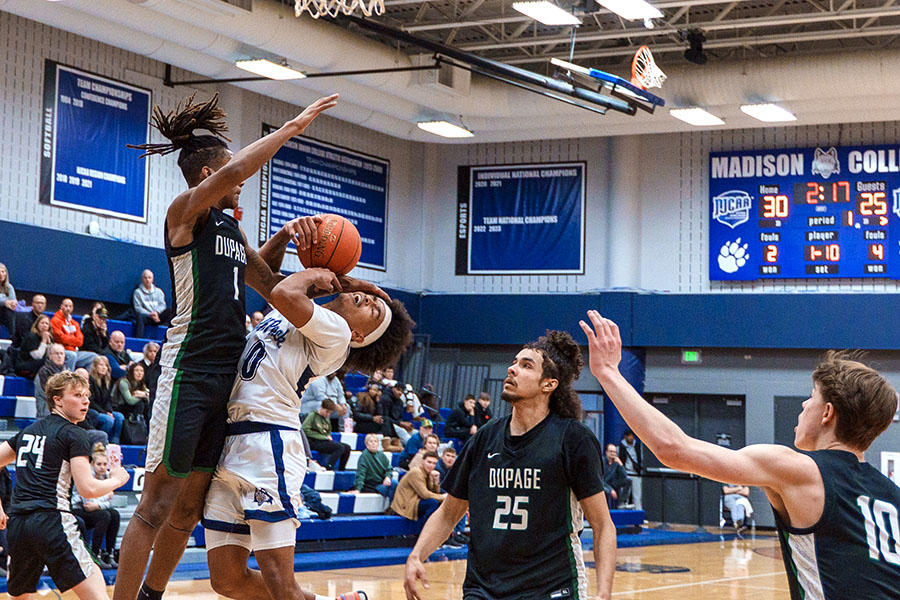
[208, 255]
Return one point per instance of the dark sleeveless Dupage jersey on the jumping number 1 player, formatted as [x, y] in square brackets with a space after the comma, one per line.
[208, 329]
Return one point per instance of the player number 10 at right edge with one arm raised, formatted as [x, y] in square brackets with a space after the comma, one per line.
[836, 515]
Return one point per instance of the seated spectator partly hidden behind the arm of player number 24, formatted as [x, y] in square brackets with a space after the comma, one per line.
[98, 514]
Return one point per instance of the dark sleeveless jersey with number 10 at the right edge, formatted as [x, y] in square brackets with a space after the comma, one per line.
[853, 552]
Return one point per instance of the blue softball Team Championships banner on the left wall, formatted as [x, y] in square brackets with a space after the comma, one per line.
[87, 121]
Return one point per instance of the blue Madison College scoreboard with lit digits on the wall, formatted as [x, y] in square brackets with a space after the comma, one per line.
[805, 213]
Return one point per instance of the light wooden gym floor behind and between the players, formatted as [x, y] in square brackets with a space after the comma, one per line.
[749, 569]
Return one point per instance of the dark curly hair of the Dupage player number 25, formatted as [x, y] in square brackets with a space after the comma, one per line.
[562, 361]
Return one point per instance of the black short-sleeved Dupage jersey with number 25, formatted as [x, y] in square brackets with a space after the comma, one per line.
[525, 515]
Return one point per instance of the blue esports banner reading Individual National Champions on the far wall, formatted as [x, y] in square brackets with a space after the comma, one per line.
[521, 219]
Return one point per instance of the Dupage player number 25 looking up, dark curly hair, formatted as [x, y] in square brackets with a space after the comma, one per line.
[528, 481]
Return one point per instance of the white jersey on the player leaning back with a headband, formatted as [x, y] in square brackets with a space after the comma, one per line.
[275, 356]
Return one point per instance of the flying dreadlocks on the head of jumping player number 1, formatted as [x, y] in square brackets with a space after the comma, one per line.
[178, 126]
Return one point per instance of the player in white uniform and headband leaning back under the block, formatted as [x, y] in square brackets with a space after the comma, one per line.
[255, 491]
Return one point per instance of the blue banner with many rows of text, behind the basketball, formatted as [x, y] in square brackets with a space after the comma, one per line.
[307, 177]
